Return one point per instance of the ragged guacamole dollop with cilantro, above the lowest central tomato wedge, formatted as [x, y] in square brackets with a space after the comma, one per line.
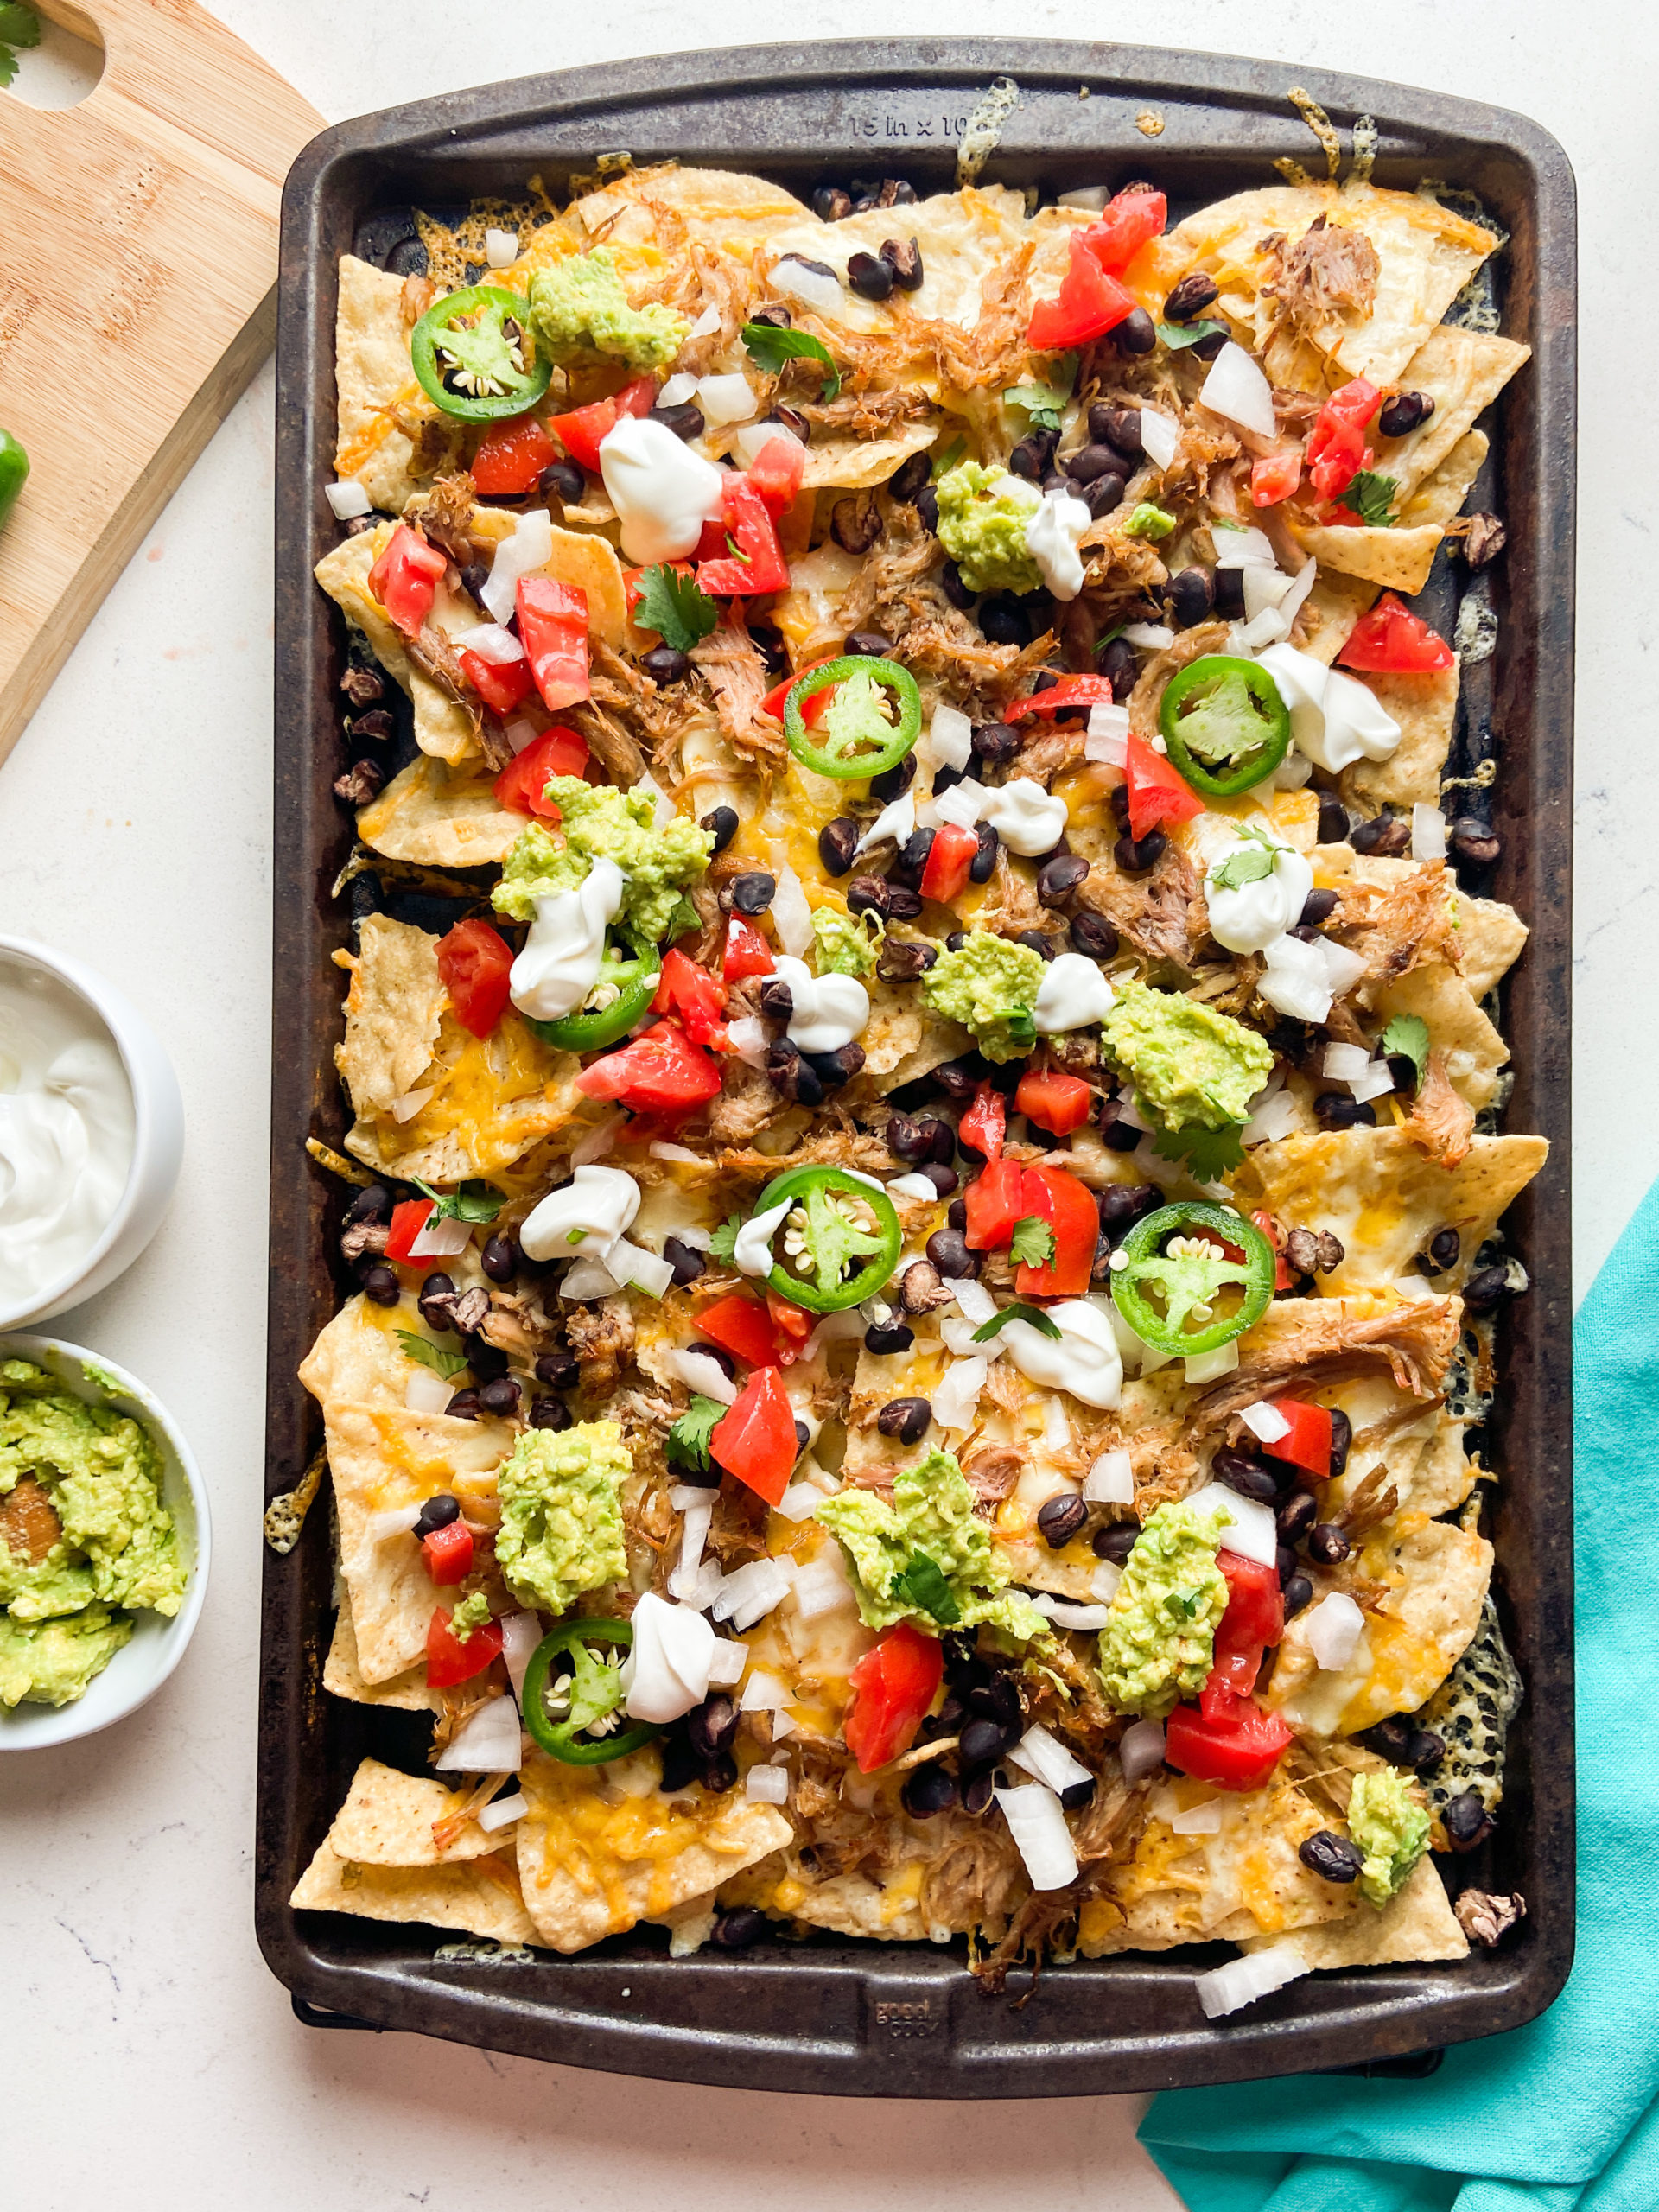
[928, 1558]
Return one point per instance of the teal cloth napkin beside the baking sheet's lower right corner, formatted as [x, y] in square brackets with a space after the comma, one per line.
[1556, 2116]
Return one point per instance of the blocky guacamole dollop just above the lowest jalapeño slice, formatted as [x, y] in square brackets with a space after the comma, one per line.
[563, 1514]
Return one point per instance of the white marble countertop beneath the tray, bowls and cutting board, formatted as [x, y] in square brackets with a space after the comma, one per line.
[152, 2052]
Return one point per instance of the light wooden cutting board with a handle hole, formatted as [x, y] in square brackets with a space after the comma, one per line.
[138, 295]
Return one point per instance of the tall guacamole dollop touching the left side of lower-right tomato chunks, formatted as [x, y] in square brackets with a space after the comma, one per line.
[1158, 1645]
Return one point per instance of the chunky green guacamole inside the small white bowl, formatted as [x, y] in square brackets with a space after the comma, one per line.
[83, 1530]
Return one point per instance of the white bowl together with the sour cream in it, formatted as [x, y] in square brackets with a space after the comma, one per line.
[92, 1131]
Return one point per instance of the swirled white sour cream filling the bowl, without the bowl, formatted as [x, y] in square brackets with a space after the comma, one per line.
[65, 1131]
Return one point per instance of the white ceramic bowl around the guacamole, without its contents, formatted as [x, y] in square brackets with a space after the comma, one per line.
[156, 1647]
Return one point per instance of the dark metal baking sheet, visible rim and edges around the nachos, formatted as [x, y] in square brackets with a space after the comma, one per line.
[833, 2016]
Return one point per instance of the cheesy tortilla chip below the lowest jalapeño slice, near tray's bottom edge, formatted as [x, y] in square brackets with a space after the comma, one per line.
[592, 1881]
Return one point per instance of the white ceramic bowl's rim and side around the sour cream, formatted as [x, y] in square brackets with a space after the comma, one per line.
[158, 1136]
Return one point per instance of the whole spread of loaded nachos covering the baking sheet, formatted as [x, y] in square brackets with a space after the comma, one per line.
[926, 1076]
